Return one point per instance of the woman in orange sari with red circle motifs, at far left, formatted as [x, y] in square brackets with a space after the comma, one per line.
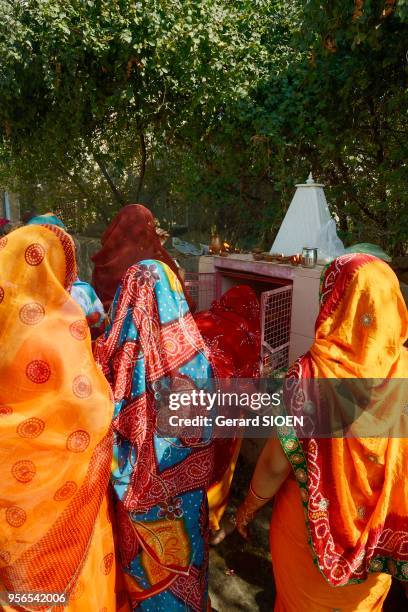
[56, 436]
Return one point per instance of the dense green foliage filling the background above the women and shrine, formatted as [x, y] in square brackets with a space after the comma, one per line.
[209, 110]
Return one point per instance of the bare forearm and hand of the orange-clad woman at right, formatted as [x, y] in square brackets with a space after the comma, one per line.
[270, 473]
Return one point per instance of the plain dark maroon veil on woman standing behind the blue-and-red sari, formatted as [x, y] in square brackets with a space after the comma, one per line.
[129, 238]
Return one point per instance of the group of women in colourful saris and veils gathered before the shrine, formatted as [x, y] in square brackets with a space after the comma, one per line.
[97, 506]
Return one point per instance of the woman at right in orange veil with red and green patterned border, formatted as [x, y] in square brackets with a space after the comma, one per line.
[341, 510]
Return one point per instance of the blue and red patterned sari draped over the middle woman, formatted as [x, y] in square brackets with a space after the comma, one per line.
[151, 349]
